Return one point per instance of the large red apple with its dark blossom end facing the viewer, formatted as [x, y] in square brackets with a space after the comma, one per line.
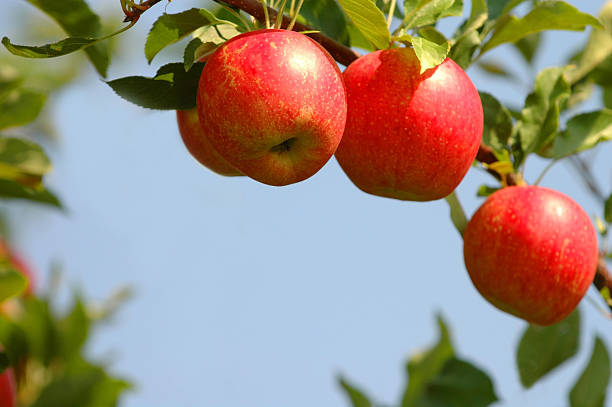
[274, 105]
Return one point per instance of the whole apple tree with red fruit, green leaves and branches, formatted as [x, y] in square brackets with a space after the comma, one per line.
[271, 90]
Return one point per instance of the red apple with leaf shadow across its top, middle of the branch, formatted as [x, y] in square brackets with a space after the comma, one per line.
[408, 136]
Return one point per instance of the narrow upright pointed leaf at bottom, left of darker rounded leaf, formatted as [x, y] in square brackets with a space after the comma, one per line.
[424, 367]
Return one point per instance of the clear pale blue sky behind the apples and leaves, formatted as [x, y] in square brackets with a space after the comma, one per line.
[254, 295]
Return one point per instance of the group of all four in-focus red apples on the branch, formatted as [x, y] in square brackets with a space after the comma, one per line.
[273, 105]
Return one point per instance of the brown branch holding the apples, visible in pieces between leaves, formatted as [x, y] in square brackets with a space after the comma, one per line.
[344, 55]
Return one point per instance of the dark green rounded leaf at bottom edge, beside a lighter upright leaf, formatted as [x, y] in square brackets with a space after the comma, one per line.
[459, 384]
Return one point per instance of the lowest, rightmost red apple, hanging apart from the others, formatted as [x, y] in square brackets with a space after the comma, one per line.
[532, 252]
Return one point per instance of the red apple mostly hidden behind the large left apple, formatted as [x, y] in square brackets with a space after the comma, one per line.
[197, 143]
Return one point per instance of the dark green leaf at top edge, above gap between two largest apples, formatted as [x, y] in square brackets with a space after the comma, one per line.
[328, 17]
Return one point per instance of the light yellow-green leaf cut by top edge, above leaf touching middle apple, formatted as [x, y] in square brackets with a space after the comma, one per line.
[419, 13]
